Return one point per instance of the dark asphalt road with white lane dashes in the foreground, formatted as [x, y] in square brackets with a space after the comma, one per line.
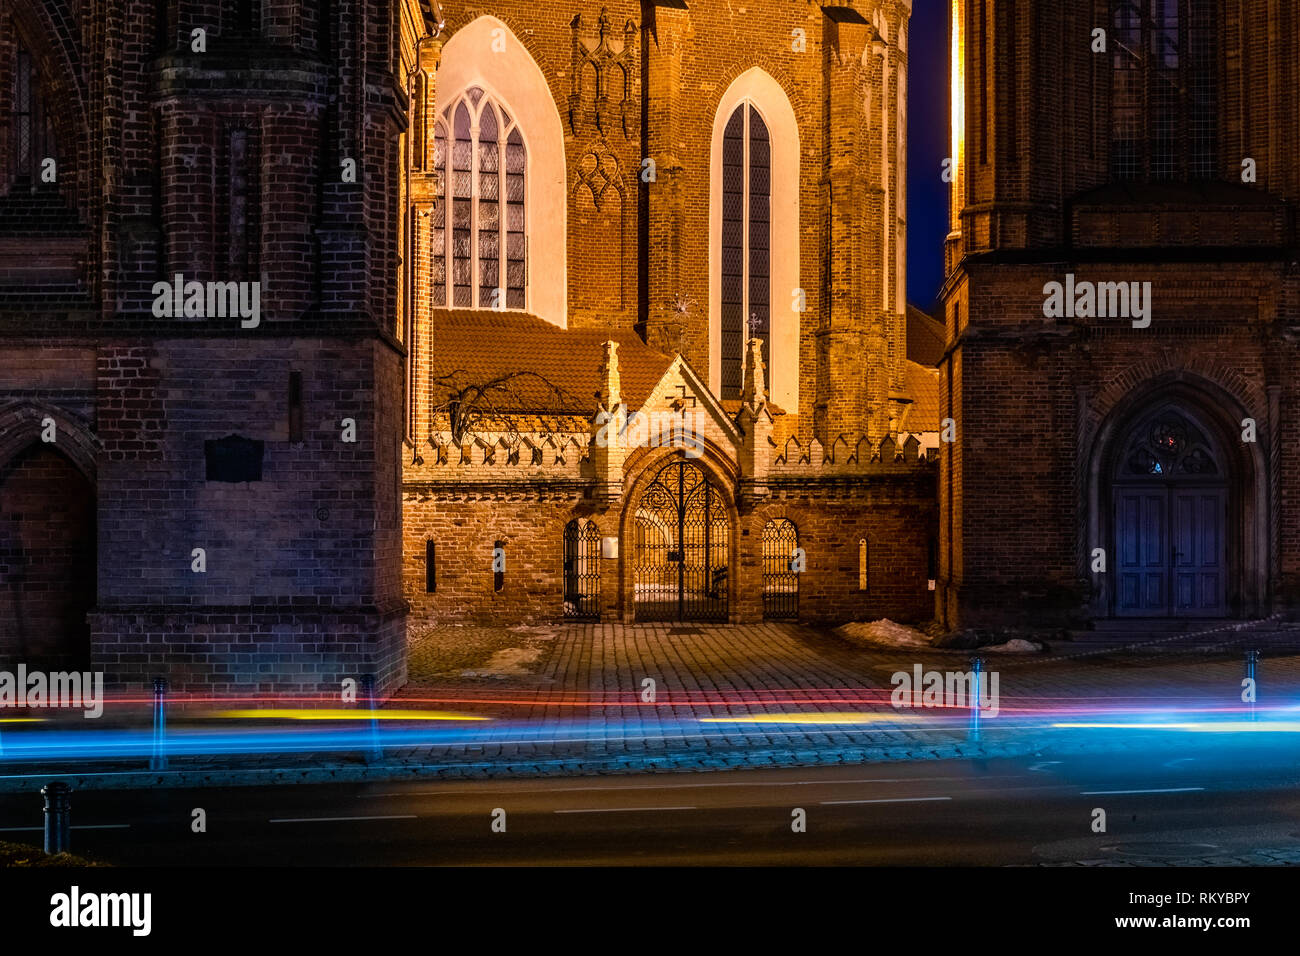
[1178, 804]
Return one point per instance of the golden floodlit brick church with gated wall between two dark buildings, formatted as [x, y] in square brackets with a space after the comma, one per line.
[647, 222]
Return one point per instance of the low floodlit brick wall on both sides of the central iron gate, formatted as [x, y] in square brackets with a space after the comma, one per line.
[898, 517]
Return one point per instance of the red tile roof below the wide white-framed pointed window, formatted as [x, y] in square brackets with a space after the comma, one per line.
[475, 348]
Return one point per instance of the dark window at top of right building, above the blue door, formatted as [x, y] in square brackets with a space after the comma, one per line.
[1164, 90]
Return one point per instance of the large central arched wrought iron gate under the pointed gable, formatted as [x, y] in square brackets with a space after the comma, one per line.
[682, 548]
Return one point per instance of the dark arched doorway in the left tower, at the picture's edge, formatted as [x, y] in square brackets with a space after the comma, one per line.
[47, 561]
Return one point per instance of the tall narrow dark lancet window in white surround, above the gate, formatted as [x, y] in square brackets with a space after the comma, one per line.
[747, 295]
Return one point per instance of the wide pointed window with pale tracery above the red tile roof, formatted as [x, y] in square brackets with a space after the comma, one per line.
[480, 253]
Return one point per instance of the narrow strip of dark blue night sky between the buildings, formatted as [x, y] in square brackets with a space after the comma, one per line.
[928, 146]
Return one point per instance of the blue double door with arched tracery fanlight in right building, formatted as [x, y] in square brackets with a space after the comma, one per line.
[1172, 531]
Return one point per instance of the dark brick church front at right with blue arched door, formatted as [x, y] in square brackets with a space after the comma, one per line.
[1116, 464]
